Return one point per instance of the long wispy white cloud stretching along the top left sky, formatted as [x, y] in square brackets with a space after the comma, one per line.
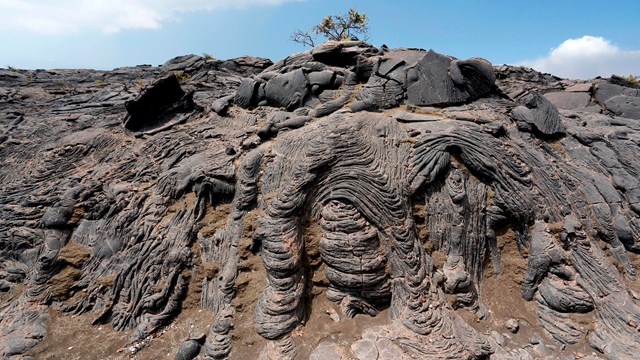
[69, 16]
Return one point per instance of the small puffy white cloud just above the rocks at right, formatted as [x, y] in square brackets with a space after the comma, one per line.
[587, 57]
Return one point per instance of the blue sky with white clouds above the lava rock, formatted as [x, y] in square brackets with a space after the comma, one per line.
[570, 38]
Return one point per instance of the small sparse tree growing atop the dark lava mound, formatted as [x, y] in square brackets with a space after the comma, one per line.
[335, 27]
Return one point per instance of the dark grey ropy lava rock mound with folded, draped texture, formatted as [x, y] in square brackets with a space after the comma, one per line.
[114, 184]
